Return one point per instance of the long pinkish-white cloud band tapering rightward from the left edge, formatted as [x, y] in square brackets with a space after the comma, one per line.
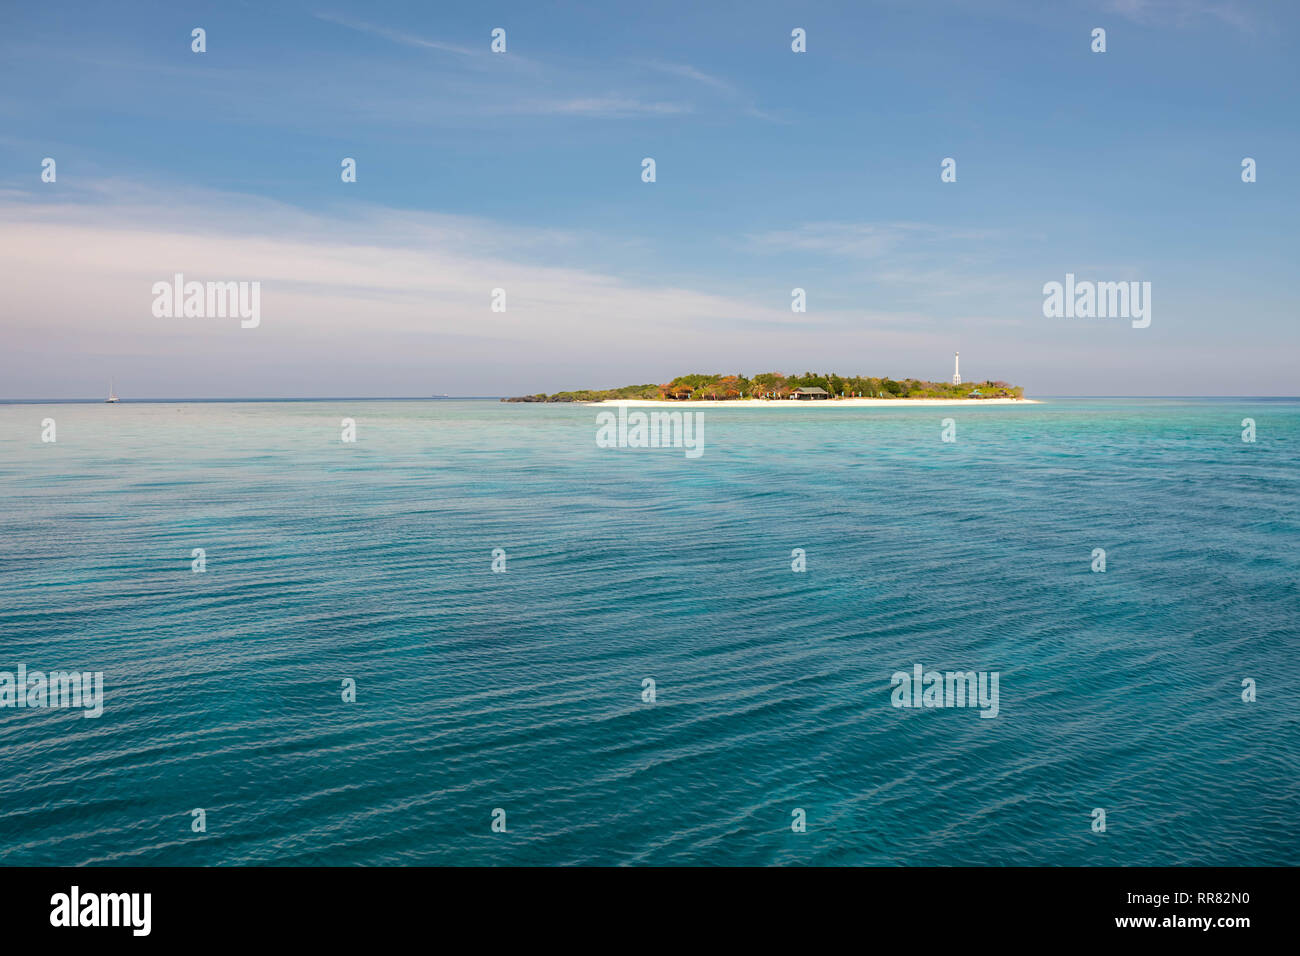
[406, 271]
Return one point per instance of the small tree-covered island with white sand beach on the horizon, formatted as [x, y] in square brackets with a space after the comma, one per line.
[778, 387]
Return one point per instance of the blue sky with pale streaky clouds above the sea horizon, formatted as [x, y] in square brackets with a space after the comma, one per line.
[523, 171]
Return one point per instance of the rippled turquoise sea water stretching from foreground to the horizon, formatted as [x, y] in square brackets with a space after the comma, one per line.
[522, 691]
